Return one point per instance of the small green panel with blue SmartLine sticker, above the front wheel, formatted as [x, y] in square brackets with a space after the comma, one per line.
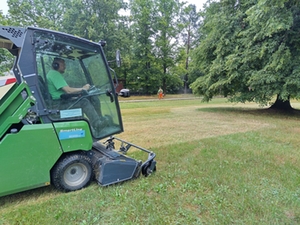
[74, 135]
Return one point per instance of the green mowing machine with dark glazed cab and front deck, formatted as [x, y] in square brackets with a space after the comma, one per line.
[42, 143]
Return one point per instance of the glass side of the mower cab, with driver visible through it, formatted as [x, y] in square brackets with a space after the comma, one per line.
[83, 63]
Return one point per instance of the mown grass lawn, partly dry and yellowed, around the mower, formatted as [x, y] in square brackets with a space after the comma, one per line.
[217, 163]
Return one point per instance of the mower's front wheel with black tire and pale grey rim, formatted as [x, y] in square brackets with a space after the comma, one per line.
[72, 172]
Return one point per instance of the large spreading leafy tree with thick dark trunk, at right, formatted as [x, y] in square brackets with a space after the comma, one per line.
[250, 51]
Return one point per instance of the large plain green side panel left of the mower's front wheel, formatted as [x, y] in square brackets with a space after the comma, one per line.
[27, 157]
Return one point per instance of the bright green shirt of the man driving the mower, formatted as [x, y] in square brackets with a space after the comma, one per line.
[55, 84]
